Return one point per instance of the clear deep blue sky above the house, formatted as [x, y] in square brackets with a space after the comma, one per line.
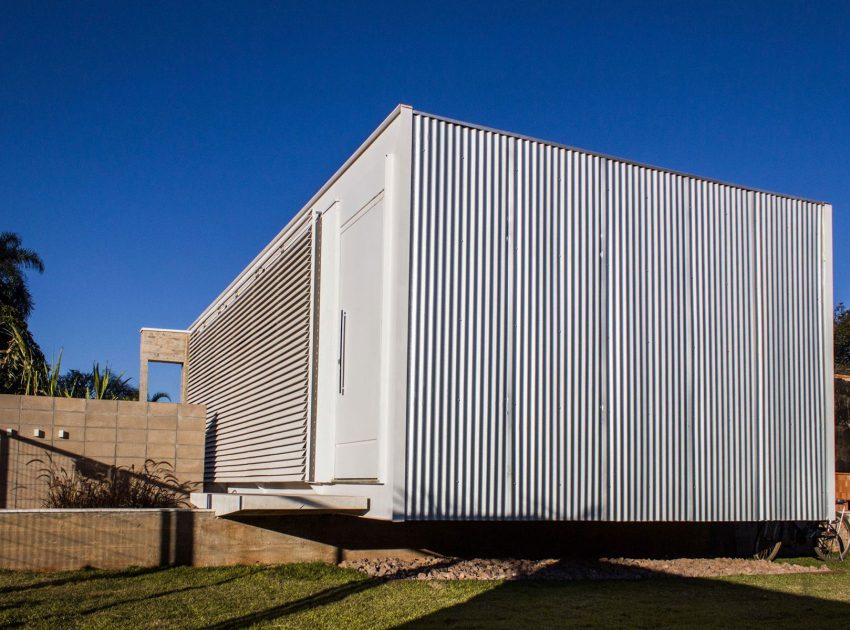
[149, 150]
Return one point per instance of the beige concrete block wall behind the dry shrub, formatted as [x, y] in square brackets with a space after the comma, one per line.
[110, 432]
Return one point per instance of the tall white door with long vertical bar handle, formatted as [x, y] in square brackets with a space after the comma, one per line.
[359, 359]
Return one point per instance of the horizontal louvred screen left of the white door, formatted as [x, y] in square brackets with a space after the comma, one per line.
[249, 363]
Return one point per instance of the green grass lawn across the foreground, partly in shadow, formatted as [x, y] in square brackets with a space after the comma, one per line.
[320, 596]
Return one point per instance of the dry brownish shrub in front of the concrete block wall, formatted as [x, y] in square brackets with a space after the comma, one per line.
[93, 485]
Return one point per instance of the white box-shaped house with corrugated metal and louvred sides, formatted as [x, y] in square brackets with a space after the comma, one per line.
[469, 324]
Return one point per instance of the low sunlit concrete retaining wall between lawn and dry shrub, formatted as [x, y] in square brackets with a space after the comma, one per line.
[59, 540]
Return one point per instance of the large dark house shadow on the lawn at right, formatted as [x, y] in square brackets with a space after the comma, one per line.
[648, 599]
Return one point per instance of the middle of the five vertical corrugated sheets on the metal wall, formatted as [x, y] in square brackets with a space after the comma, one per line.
[649, 348]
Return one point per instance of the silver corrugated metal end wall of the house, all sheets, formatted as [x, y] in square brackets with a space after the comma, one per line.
[597, 340]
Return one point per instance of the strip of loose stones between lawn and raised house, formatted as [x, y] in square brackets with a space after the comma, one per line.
[603, 569]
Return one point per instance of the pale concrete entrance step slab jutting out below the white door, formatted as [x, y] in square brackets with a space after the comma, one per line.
[226, 504]
